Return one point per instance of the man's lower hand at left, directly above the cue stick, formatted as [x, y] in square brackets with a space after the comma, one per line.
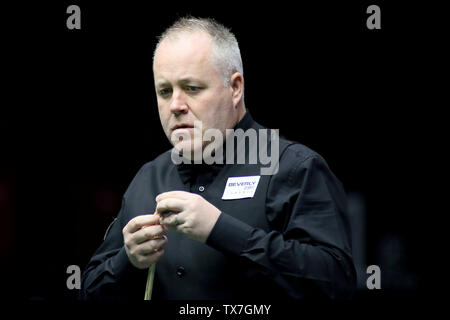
[144, 240]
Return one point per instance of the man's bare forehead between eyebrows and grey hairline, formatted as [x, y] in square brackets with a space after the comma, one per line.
[183, 53]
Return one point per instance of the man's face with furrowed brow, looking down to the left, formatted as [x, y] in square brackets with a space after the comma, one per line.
[190, 88]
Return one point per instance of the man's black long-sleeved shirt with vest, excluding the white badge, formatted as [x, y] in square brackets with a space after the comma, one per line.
[290, 240]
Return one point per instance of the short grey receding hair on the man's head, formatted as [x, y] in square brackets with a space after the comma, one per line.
[226, 53]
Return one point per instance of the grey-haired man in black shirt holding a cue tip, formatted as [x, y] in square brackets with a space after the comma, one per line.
[222, 230]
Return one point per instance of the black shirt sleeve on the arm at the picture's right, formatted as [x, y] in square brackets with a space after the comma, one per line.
[308, 248]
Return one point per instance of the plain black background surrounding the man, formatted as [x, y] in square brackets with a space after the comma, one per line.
[79, 117]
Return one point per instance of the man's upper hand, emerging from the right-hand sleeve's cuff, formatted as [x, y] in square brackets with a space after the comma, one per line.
[187, 213]
